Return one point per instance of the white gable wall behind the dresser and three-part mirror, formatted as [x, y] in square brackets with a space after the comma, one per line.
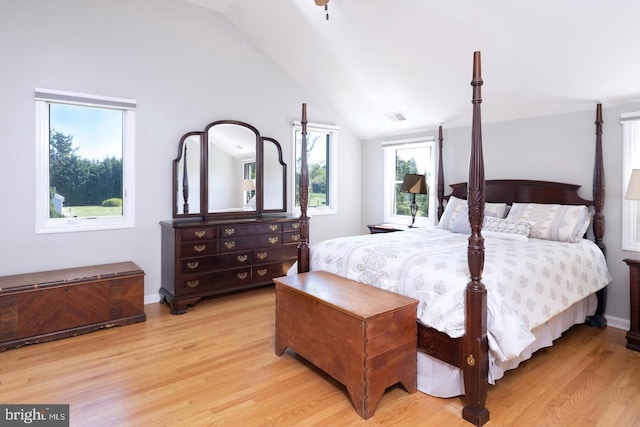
[186, 67]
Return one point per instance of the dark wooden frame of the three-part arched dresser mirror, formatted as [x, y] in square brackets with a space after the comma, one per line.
[204, 177]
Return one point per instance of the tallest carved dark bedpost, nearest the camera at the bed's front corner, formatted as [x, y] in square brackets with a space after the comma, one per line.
[475, 344]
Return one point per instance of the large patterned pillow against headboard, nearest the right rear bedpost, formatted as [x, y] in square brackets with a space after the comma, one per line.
[563, 223]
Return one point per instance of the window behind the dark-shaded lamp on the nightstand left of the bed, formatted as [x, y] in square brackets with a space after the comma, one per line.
[414, 156]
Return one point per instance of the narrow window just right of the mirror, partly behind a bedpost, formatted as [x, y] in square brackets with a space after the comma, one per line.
[321, 161]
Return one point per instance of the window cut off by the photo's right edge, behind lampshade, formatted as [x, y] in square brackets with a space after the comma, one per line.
[630, 161]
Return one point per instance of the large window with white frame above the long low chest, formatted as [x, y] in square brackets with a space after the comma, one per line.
[85, 158]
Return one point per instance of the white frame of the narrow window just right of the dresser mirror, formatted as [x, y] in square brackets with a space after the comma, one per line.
[332, 162]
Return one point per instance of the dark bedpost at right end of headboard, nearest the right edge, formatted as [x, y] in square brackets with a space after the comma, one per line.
[598, 319]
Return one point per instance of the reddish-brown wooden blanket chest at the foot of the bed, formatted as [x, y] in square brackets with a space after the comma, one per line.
[362, 336]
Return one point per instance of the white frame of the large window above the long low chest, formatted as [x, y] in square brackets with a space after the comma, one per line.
[46, 225]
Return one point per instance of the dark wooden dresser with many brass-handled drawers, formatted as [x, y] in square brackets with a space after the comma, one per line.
[212, 257]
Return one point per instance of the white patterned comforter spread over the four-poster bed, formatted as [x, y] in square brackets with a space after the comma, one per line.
[527, 282]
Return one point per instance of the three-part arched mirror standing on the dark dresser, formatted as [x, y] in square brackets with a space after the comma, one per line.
[228, 170]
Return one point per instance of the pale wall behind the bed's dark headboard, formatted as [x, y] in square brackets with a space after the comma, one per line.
[554, 148]
